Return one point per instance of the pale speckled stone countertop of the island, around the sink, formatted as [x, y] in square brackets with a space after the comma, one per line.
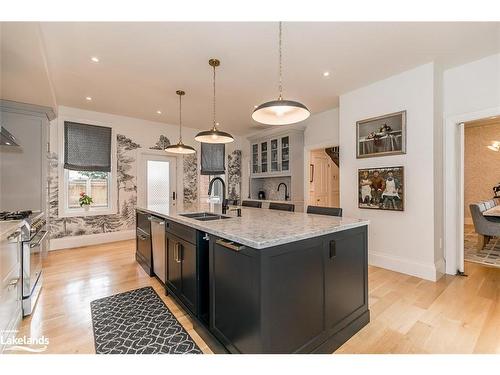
[259, 227]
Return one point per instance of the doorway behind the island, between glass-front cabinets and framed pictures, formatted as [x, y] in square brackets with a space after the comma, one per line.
[324, 187]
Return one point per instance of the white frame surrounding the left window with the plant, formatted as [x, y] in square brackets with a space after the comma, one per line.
[63, 209]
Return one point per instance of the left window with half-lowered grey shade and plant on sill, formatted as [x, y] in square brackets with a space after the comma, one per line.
[88, 167]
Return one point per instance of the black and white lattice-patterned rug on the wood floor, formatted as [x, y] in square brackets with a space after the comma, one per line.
[138, 322]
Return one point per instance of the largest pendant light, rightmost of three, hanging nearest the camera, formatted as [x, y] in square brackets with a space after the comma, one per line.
[280, 112]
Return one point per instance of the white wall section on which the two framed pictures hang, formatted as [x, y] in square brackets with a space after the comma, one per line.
[401, 241]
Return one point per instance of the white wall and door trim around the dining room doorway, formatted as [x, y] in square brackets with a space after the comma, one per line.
[470, 92]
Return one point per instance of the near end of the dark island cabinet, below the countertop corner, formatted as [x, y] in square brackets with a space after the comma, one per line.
[307, 296]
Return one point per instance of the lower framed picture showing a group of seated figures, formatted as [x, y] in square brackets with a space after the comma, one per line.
[381, 188]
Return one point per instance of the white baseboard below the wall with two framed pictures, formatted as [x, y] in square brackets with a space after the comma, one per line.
[423, 270]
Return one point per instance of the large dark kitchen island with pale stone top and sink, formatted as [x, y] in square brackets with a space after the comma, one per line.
[268, 281]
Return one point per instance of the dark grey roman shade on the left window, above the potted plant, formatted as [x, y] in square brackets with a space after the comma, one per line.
[87, 147]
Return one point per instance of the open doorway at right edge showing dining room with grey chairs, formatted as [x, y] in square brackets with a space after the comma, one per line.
[481, 191]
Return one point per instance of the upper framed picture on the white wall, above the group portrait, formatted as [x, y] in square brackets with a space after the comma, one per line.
[381, 136]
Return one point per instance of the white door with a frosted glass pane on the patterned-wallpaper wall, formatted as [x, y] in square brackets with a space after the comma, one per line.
[157, 183]
